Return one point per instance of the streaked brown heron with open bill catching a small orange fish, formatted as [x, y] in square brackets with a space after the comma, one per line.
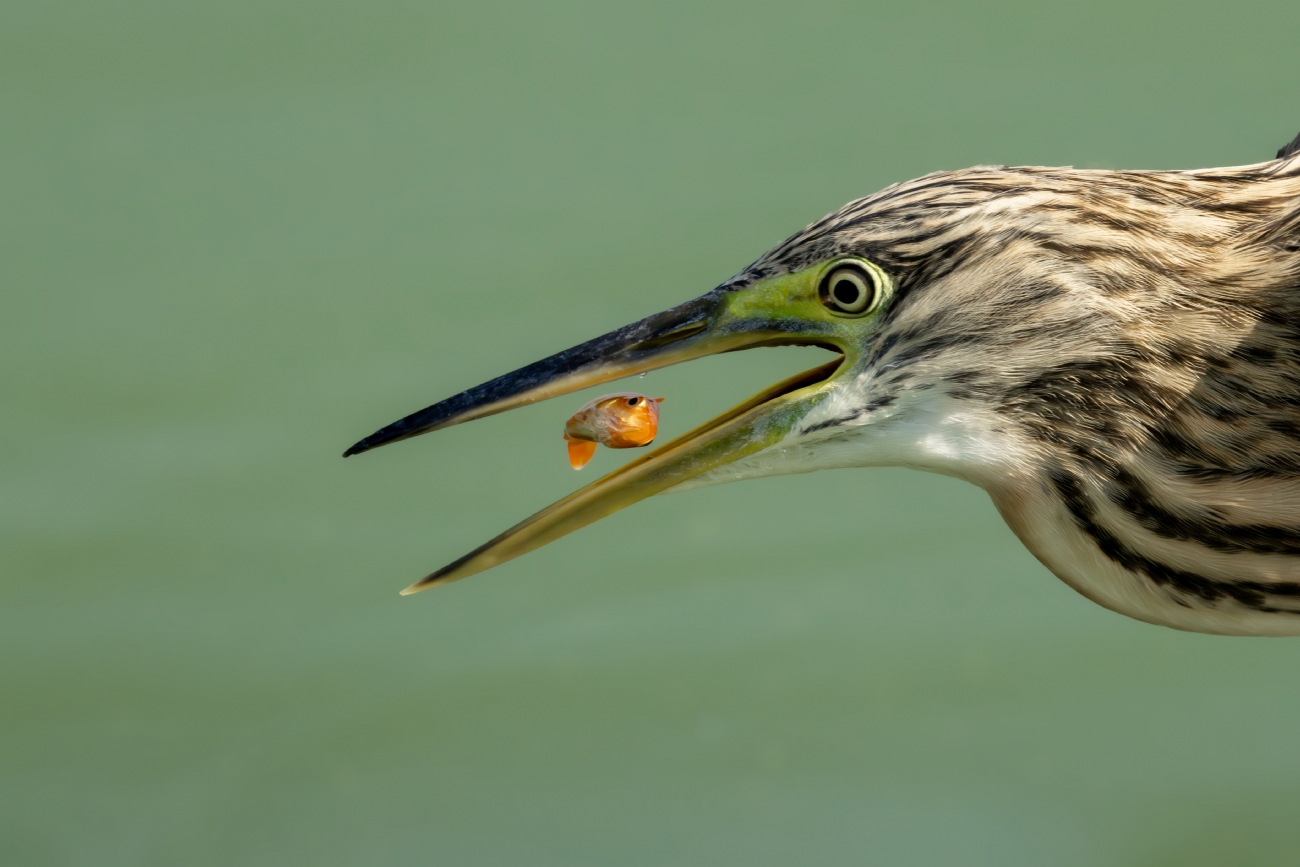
[1112, 356]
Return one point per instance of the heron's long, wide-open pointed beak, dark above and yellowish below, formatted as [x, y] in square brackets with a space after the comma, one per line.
[704, 327]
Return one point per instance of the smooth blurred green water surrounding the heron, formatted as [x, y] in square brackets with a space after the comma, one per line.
[240, 236]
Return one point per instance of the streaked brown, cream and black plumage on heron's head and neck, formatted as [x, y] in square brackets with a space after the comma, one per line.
[1124, 350]
